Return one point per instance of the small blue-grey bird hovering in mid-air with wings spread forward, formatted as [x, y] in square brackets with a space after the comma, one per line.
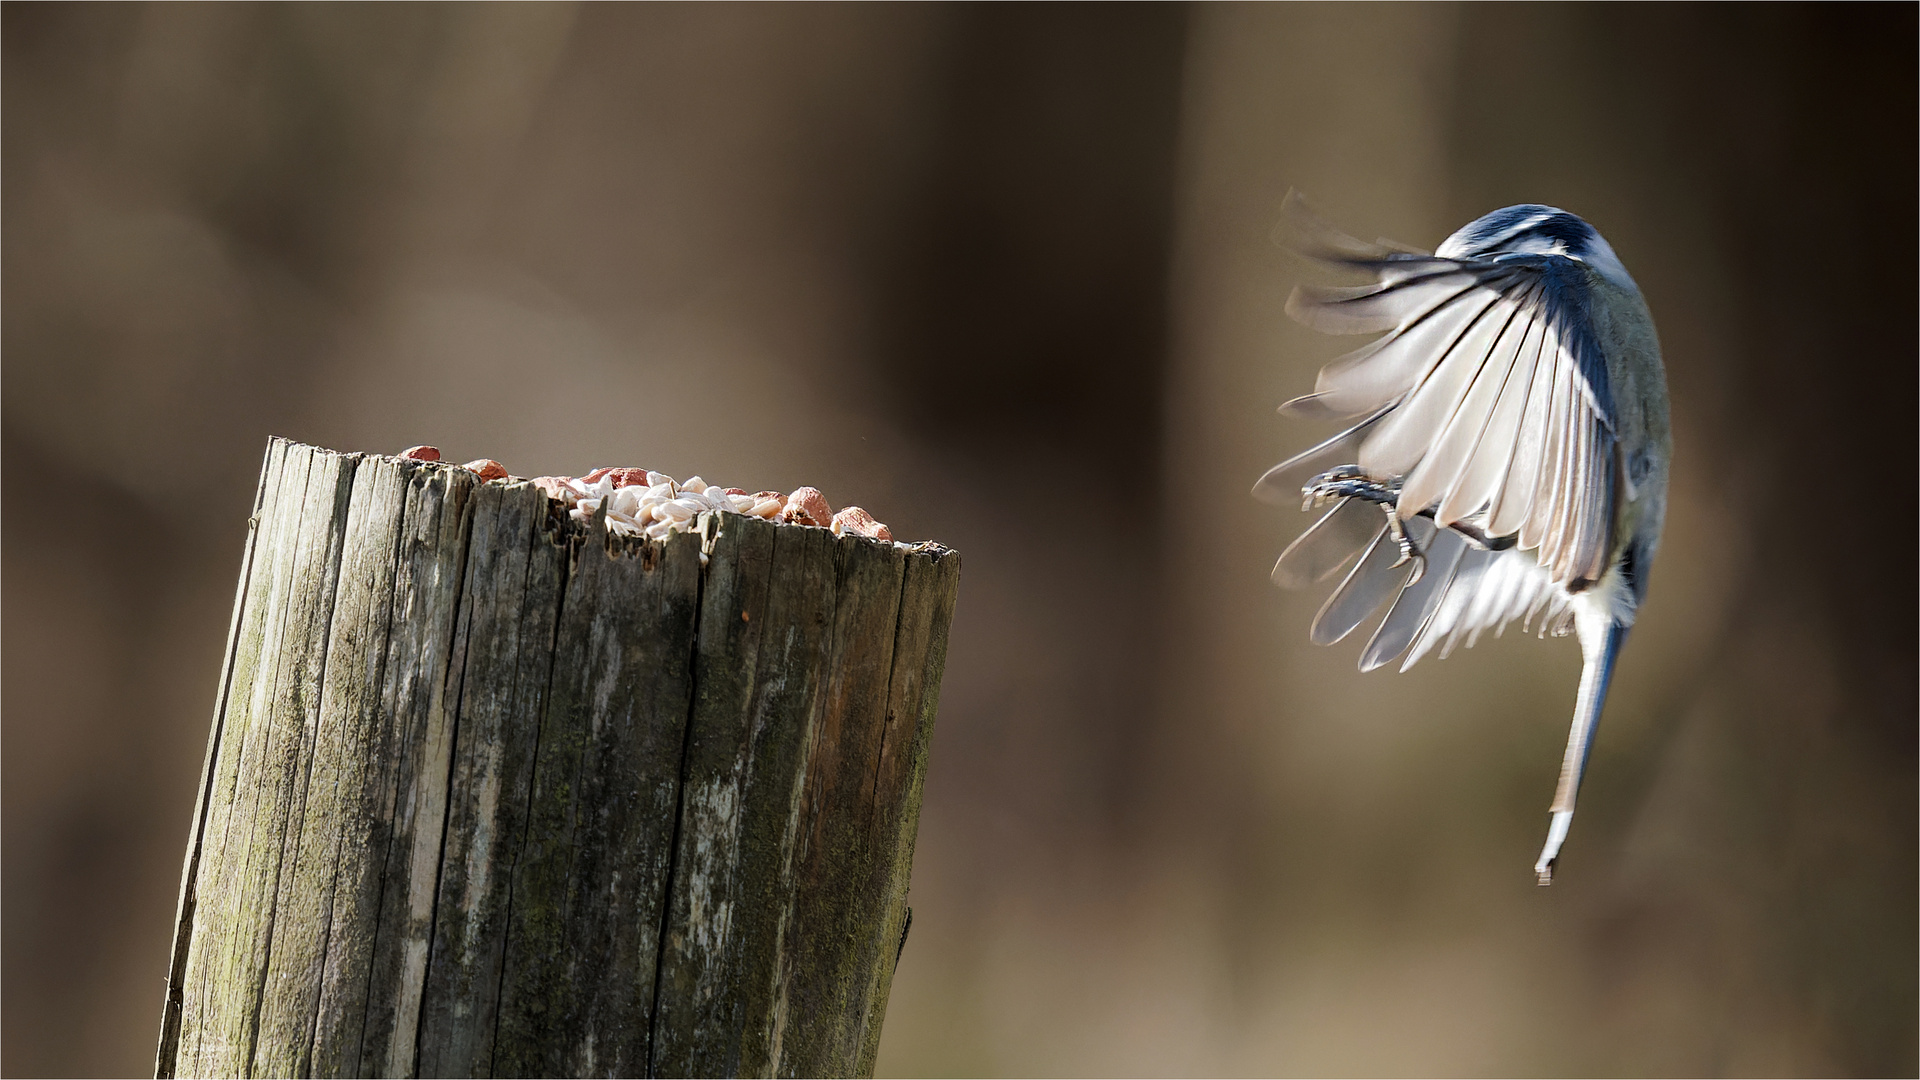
[1504, 451]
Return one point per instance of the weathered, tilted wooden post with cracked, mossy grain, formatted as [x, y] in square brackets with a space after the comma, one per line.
[491, 795]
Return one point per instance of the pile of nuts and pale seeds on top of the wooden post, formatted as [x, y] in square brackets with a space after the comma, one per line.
[654, 504]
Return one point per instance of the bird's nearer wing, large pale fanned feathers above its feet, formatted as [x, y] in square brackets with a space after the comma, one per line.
[1495, 393]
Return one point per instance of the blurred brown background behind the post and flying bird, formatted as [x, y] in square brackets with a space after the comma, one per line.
[1005, 278]
